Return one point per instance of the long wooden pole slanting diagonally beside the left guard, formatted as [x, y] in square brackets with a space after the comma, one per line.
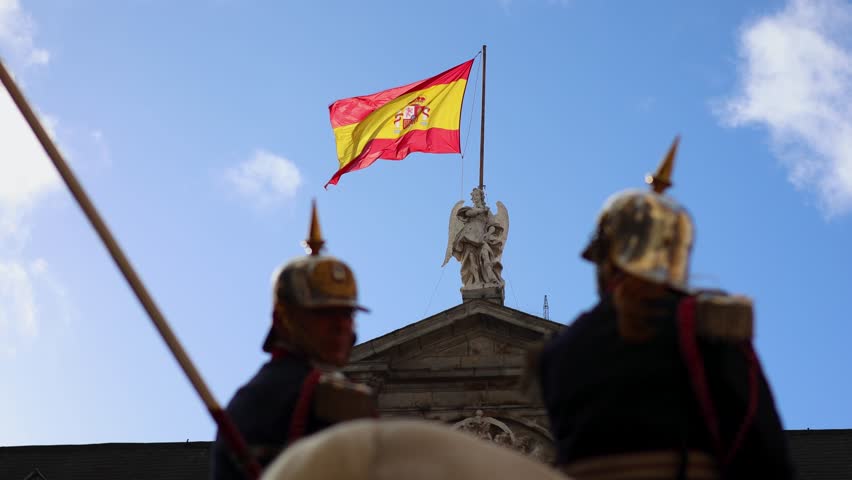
[227, 427]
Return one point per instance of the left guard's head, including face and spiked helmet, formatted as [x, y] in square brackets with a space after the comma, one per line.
[314, 301]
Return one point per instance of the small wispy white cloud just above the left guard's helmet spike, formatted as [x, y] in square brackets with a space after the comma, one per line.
[265, 179]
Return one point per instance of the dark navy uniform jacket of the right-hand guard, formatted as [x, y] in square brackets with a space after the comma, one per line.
[605, 395]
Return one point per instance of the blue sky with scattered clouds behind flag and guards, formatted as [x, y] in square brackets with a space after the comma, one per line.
[201, 131]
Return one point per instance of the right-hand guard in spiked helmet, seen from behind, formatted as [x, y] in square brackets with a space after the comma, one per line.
[658, 380]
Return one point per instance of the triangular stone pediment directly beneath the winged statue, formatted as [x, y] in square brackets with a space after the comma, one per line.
[475, 329]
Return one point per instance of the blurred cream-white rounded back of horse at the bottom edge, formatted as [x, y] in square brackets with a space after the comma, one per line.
[402, 450]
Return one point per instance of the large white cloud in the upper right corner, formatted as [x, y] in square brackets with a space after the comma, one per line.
[796, 80]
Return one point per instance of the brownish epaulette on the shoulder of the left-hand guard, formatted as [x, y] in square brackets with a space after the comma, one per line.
[337, 399]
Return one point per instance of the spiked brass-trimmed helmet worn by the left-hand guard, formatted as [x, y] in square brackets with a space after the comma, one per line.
[314, 281]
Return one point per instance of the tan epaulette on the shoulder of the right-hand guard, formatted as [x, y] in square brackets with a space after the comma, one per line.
[724, 317]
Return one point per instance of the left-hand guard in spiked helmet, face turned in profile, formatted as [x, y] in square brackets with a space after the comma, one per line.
[301, 389]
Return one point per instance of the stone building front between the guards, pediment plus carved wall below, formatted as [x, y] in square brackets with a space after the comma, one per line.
[463, 367]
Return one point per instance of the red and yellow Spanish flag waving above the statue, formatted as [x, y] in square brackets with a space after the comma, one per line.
[420, 117]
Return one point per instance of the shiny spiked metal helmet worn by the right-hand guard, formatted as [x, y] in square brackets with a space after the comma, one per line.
[646, 234]
